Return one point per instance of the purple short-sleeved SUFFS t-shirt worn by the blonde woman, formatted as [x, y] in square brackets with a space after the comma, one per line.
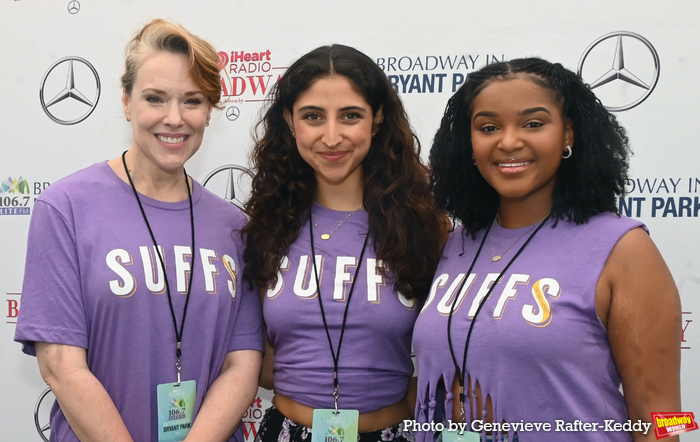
[93, 280]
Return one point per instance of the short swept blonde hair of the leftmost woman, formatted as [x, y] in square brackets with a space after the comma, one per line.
[160, 35]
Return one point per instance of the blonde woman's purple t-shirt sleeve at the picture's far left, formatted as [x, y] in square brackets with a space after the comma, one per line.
[51, 308]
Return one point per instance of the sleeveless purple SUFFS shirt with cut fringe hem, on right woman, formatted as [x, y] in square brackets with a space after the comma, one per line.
[538, 347]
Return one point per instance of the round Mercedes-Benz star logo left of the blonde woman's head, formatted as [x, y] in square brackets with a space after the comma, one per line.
[59, 83]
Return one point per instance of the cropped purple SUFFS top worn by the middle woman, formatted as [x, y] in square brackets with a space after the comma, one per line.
[375, 358]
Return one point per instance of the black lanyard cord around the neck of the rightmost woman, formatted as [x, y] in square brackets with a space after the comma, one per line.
[462, 372]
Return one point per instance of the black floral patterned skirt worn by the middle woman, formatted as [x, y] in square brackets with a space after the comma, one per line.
[275, 427]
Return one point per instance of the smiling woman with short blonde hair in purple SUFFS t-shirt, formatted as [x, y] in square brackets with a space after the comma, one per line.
[131, 301]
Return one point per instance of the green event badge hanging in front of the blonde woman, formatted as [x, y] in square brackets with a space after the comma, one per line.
[175, 410]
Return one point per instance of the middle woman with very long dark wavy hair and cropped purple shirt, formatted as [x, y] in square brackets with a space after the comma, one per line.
[338, 178]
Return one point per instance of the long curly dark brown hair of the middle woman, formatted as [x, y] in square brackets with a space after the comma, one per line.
[406, 229]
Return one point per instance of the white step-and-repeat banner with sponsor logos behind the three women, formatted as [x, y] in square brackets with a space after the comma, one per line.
[61, 63]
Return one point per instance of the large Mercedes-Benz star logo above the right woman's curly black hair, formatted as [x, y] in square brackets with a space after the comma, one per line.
[632, 76]
